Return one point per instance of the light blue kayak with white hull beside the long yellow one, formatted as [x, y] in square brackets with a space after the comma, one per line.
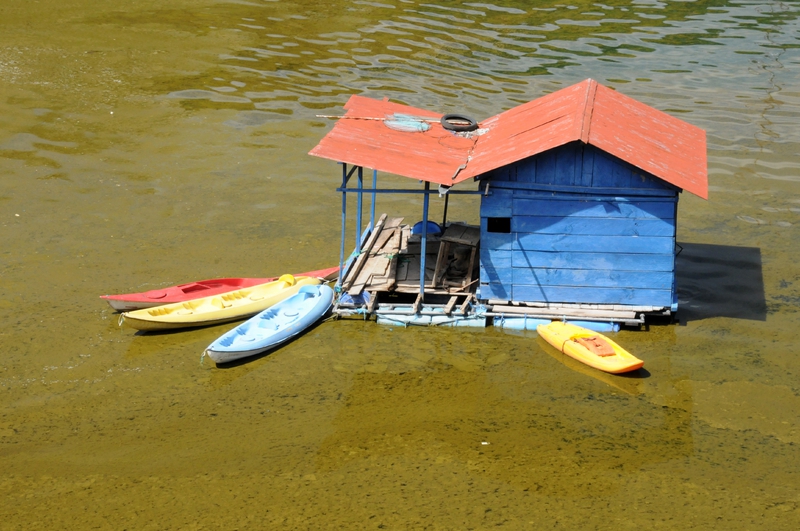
[273, 326]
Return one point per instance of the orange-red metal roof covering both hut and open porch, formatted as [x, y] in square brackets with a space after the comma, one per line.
[647, 138]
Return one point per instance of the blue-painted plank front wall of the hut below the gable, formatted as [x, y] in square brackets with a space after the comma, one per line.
[566, 243]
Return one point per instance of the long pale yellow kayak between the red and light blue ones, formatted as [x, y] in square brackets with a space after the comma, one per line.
[230, 306]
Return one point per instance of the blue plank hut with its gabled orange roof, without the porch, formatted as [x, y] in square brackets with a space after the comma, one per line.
[587, 227]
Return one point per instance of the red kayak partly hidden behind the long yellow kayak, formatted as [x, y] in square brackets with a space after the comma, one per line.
[196, 290]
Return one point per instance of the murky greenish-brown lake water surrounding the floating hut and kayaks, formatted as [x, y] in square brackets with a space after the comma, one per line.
[145, 144]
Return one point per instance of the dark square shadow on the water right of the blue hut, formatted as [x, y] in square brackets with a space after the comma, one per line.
[720, 281]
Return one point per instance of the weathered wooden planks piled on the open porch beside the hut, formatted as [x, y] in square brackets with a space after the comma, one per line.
[389, 265]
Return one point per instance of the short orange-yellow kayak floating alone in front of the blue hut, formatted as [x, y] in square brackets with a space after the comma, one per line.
[591, 348]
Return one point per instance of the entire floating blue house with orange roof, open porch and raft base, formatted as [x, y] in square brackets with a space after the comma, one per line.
[579, 194]
